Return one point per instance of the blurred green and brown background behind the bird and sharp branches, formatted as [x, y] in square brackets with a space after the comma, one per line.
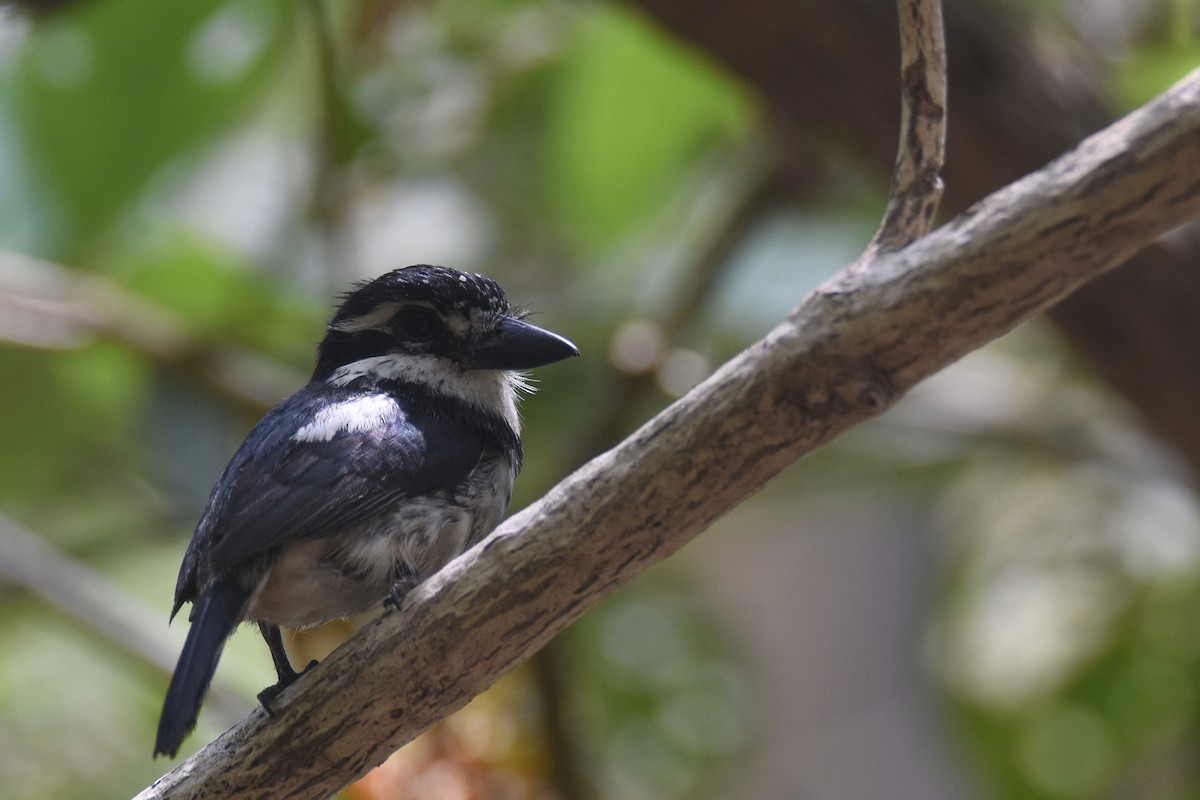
[991, 592]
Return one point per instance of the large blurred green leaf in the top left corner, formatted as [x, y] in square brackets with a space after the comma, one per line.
[109, 93]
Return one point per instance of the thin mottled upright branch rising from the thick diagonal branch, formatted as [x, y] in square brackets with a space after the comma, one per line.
[917, 177]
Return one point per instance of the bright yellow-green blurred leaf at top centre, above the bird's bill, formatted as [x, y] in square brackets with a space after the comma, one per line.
[631, 111]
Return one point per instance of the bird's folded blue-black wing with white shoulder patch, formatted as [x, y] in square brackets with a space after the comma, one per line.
[320, 464]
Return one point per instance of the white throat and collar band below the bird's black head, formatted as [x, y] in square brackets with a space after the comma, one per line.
[490, 390]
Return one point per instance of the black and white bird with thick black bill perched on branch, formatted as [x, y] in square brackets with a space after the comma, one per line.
[397, 458]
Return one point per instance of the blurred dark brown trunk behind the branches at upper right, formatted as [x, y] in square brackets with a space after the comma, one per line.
[826, 73]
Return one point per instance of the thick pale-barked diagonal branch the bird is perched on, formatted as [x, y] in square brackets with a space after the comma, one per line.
[845, 354]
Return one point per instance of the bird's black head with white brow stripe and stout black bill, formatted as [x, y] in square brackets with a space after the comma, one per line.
[423, 324]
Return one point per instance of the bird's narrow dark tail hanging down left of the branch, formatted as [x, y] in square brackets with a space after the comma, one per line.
[214, 618]
